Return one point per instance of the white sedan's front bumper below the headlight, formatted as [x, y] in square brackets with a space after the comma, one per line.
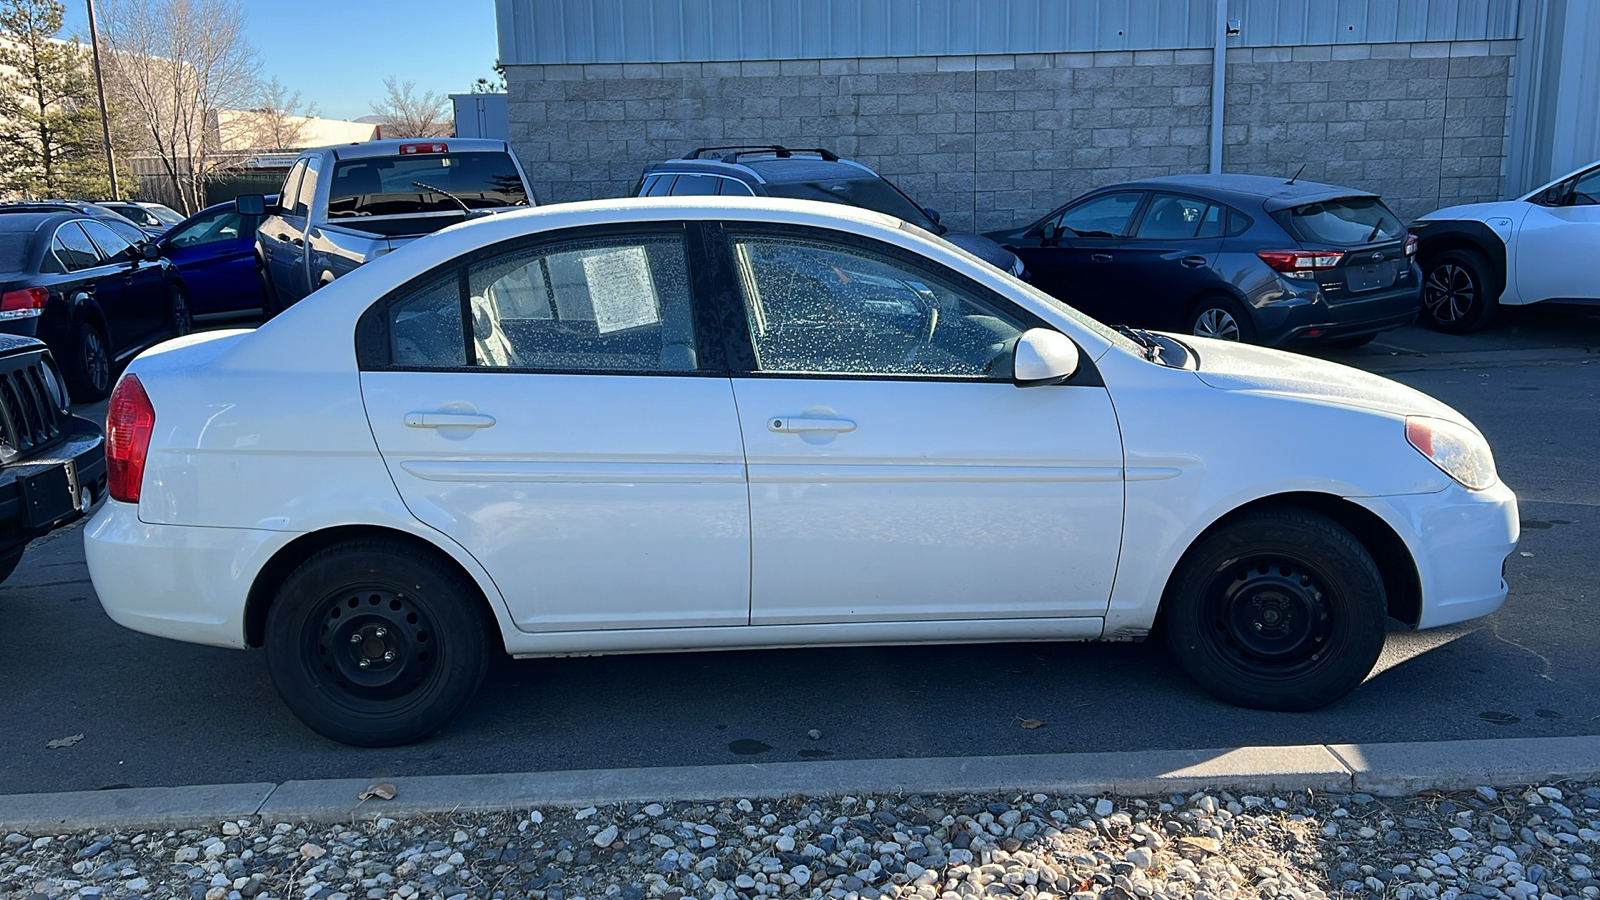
[1460, 540]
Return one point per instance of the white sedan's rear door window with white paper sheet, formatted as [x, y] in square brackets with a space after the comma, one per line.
[604, 305]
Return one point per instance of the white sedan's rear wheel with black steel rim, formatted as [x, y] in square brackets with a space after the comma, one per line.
[422, 632]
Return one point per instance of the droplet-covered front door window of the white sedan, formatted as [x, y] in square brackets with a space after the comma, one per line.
[828, 310]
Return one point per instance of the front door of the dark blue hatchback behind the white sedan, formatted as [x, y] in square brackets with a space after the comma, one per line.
[1076, 267]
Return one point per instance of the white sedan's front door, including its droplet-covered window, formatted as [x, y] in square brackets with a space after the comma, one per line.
[897, 475]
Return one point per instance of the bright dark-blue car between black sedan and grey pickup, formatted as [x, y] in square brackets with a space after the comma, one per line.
[215, 254]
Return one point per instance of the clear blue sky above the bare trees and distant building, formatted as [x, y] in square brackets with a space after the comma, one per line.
[337, 54]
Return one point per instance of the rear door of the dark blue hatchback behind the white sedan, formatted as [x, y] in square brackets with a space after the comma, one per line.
[1167, 260]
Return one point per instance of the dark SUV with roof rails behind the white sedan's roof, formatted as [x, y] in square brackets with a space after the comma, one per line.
[807, 175]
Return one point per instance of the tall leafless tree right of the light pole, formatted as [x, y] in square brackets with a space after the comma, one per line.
[175, 65]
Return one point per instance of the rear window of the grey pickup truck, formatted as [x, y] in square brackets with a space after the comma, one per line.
[390, 187]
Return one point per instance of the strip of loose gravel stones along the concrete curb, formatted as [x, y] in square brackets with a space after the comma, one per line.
[1526, 845]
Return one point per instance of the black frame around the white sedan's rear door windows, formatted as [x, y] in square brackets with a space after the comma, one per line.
[372, 329]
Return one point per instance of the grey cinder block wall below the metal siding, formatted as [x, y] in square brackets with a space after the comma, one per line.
[994, 142]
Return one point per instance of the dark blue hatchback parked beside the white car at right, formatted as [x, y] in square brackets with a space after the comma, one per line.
[1236, 257]
